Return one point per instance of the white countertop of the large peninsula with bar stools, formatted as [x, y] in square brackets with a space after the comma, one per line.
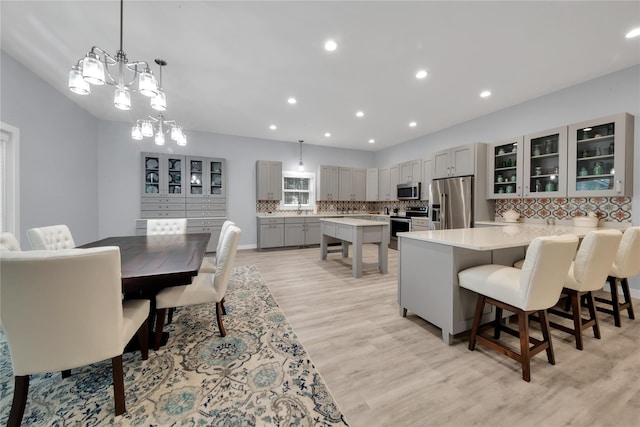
[490, 238]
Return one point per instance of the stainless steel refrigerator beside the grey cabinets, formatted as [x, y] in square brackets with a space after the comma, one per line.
[451, 203]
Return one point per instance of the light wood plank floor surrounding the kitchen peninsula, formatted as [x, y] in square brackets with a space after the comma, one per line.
[385, 370]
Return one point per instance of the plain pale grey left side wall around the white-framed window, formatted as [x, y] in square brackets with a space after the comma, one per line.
[58, 154]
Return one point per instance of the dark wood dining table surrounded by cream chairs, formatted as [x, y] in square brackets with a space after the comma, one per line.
[152, 263]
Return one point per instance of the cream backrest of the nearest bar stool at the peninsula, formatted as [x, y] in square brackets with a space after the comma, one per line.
[544, 270]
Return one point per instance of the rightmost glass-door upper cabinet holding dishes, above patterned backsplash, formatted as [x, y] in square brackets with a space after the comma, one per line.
[601, 157]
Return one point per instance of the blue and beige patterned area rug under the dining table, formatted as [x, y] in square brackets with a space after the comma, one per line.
[258, 375]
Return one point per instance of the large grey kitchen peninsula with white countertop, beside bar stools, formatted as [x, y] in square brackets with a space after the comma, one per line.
[429, 262]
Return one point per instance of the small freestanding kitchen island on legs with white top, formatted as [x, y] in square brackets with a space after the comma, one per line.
[357, 232]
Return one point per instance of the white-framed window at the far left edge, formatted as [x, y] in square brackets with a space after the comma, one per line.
[9, 194]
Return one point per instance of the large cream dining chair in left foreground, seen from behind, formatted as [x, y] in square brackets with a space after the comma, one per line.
[63, 309]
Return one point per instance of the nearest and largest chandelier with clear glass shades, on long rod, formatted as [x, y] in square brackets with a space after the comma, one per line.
[99, 68]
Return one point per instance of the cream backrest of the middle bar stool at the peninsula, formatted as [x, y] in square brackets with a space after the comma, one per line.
[594, 260]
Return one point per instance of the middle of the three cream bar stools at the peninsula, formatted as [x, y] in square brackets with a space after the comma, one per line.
[588, 273]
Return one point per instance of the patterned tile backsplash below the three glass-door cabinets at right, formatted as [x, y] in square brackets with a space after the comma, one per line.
[615, 209]
